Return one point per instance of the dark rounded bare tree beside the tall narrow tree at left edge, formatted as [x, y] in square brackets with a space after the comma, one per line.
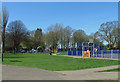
[18, 32]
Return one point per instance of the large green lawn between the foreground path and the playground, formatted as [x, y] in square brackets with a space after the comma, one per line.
[55, 63]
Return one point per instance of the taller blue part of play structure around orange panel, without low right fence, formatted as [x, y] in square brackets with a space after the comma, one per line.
[81, 49]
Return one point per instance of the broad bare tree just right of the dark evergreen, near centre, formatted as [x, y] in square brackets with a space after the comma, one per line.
[53, 35]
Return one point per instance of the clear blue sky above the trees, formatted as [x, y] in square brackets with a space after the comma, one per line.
[87, 16]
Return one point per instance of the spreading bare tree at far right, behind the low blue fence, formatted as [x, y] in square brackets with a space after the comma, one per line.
[108, 32]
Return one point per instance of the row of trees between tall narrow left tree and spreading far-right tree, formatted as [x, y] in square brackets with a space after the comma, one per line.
[56, 36]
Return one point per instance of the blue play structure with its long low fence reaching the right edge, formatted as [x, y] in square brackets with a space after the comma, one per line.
[100, 52]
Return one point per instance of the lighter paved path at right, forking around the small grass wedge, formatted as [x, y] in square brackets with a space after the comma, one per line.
[91, 74]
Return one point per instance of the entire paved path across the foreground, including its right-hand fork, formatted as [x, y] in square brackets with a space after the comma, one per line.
[25, 73]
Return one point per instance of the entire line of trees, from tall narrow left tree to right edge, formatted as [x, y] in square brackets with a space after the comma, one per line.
[16, 35]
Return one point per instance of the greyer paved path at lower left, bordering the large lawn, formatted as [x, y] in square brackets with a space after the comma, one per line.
[25, 73]
